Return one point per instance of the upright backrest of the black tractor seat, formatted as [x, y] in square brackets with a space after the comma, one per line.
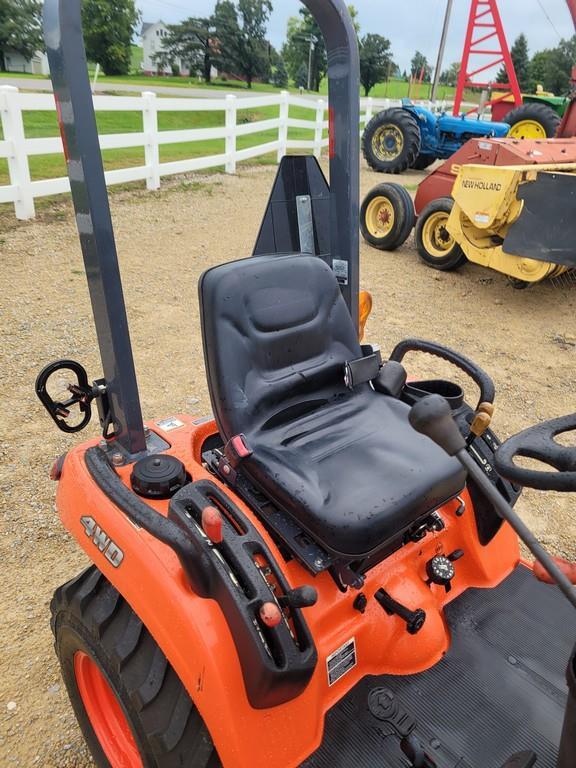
[276, 334]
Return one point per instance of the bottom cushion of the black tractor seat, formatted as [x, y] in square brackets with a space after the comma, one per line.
[352, 472]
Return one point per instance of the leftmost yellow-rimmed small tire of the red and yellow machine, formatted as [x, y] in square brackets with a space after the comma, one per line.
[387, 217]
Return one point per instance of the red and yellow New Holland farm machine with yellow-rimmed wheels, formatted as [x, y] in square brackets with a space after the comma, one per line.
[502, 203]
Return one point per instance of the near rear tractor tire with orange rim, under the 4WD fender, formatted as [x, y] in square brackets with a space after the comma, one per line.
[131, 706]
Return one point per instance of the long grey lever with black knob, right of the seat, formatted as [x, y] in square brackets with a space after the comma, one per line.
[432, 416]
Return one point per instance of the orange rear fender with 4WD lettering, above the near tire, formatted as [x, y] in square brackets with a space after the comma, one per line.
[191, 631]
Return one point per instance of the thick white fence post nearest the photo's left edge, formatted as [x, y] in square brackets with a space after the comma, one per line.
[18, 168]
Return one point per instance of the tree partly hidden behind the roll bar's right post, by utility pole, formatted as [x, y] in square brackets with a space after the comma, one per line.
[303, 31]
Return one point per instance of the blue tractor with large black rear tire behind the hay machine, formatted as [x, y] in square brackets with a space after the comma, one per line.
[411, 136]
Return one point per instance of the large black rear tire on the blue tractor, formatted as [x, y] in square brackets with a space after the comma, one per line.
[391, 141]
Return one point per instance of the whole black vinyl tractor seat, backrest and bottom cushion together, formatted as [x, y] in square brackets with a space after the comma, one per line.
[345, 464]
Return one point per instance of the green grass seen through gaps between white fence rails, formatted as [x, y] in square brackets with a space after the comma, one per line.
[40, 124]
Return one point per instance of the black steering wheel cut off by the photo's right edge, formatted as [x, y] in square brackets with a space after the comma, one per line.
[539, 443]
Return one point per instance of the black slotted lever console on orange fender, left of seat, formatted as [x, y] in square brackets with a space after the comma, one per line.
[277, 663]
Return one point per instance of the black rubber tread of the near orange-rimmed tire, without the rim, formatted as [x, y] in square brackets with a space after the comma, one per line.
[174, 730]
